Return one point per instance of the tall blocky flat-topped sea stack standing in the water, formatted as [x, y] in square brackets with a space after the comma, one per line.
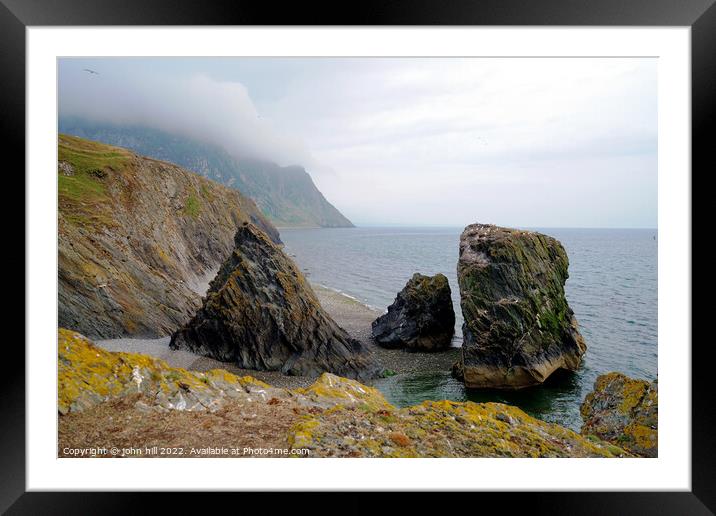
[518, 326]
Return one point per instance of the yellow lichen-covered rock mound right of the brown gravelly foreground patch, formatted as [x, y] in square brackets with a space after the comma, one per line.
[442, 429]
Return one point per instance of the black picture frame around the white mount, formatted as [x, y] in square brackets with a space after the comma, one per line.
[700, 15]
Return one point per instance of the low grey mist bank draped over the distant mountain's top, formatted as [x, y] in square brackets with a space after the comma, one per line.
[199, 107]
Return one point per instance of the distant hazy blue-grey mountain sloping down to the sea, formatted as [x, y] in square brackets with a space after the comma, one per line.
[286, 195]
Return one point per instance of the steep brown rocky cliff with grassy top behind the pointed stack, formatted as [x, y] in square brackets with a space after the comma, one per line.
[138, 239]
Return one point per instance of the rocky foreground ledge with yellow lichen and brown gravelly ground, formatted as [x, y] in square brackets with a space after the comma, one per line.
[141, 406]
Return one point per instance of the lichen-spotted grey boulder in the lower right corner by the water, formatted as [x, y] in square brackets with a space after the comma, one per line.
[623, 411]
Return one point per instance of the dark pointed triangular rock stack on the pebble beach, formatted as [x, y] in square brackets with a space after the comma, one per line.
[260, 313]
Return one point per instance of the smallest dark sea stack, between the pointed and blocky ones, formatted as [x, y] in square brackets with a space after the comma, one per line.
[420, 318]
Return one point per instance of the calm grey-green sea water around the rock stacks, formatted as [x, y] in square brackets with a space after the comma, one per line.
[612, 288]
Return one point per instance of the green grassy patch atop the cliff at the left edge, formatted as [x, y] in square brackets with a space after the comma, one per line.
[81, 190]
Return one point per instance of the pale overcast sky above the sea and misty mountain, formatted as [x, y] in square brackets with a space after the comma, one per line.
[527, 142]
